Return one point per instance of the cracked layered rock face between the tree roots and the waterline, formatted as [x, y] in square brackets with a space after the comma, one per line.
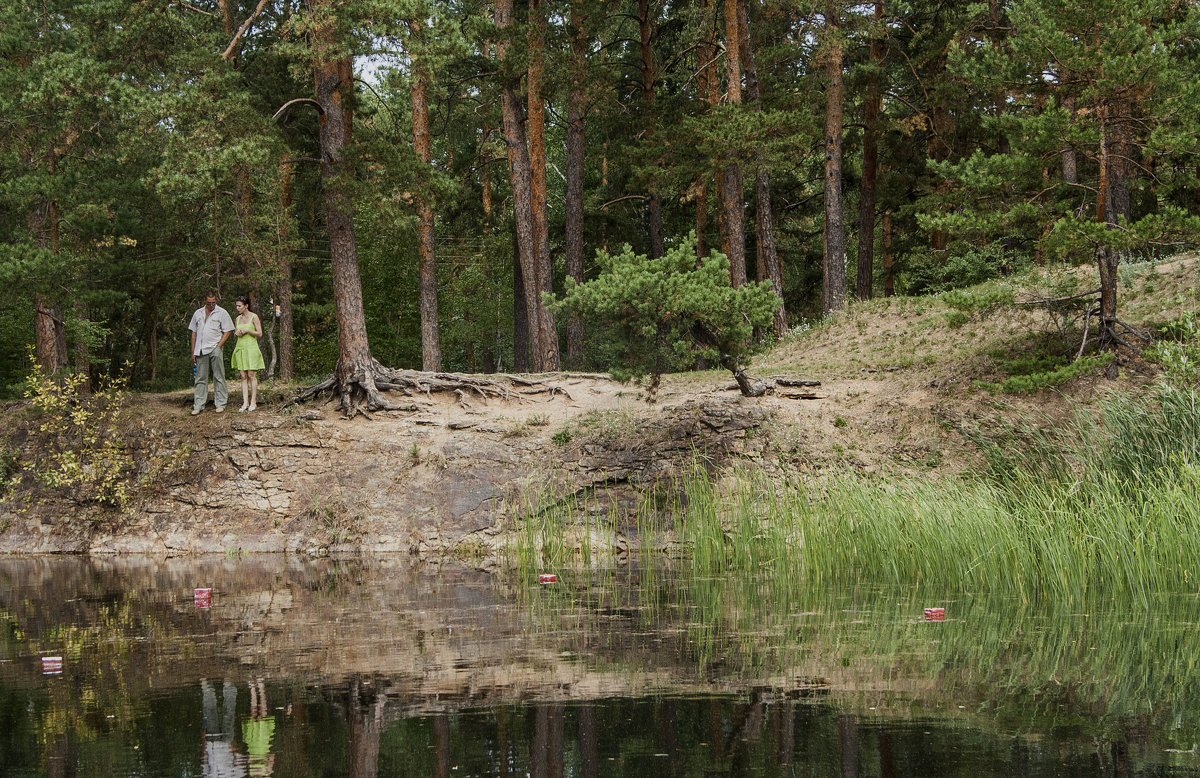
[434, 483]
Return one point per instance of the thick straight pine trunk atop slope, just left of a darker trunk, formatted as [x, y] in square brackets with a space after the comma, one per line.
[835, 288]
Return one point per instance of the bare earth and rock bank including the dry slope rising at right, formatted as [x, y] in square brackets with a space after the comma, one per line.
[889, 386]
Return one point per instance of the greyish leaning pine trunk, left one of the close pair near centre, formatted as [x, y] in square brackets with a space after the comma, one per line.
[521, 179]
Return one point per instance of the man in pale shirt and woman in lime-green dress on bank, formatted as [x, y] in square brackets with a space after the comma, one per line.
[211, 328]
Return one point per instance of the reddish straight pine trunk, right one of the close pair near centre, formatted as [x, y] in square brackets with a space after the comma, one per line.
[548, 339]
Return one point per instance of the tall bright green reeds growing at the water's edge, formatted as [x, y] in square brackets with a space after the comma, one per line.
[1109, 502]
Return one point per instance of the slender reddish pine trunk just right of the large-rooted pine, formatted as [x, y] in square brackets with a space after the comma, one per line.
[428, 277]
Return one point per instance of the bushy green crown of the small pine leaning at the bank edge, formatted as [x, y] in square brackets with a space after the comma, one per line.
[673, 310]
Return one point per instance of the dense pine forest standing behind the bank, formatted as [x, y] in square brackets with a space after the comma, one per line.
[407, 183]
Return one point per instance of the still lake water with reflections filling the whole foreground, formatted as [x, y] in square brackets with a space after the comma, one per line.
[377, 668]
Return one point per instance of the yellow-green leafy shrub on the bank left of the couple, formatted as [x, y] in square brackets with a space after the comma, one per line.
[82, 446]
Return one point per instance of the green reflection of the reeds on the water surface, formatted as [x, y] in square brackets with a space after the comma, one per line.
[1097, 661]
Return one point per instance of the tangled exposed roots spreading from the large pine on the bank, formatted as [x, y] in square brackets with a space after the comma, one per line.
[363, 391]
